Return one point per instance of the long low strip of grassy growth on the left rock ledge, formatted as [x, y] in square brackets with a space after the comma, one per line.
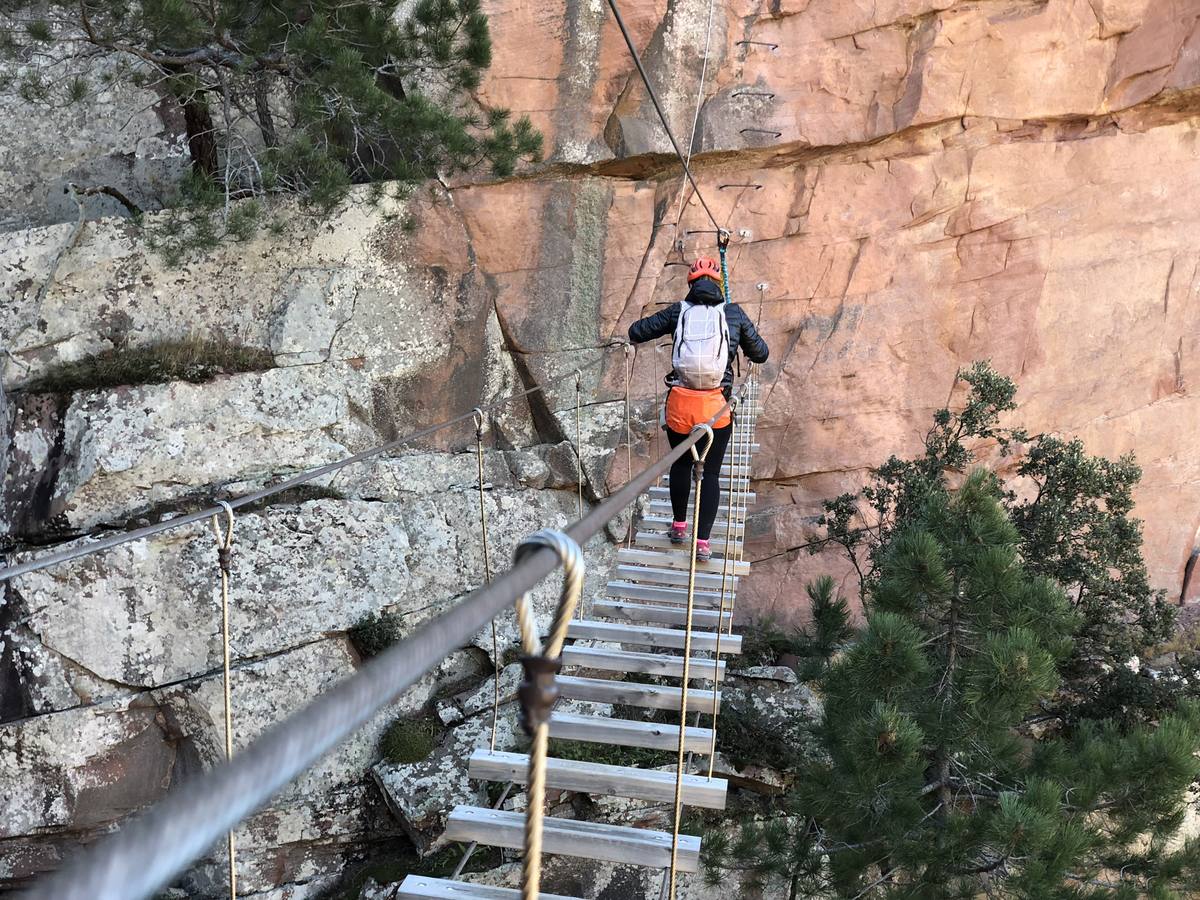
[185, 361]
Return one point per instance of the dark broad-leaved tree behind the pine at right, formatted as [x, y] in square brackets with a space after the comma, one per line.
[1075, 526]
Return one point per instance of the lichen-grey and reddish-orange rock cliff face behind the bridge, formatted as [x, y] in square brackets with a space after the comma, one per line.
[919, 184]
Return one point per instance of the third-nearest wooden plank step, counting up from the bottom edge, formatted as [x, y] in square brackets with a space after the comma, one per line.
[599, 779]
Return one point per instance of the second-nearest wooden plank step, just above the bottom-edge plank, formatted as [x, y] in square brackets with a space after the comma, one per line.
[572, 838]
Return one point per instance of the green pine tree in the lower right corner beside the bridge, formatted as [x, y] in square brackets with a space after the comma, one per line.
[931, 784]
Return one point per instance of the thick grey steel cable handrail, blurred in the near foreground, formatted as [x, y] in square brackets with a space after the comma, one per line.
[147, 854]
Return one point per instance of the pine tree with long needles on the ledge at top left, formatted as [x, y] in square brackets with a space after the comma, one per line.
[299, 98]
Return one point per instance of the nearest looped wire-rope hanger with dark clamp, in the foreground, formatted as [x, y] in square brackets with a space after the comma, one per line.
[538, 693]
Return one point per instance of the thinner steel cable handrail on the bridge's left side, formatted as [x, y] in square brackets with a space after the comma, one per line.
[83, 550]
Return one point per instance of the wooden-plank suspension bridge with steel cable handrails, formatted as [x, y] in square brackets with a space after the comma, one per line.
[656, 640]
